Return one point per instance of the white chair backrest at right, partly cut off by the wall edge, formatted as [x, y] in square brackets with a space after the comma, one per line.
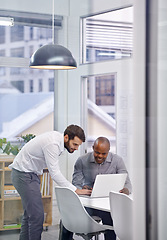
[122, 213]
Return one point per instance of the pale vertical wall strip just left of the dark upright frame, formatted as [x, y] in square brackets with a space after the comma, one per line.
[138, 127]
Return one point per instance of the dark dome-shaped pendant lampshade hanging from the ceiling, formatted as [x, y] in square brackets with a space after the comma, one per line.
[52, 57]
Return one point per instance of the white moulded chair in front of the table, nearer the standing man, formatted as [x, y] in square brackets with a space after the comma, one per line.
[74, 216]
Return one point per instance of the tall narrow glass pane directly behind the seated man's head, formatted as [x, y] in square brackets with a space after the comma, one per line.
[101, 109]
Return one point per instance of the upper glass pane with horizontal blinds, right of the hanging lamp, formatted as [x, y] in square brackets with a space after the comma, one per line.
[107, 36]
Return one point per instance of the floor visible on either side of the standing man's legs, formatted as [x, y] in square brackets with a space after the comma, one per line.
[51, 234]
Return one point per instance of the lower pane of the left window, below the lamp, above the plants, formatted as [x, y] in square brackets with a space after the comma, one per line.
[26, 102]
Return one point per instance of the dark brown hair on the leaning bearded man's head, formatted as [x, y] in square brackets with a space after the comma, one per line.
[75, 131]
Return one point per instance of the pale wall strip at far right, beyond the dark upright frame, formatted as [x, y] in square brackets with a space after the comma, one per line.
[162, 118]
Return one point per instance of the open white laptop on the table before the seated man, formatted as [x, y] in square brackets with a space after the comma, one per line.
[105, 183]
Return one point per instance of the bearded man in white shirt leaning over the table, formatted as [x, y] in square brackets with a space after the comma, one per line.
[39, 153]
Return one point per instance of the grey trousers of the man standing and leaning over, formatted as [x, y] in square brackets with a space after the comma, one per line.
[28, 186]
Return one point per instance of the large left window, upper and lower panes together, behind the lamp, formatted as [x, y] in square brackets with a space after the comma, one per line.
[17, 81]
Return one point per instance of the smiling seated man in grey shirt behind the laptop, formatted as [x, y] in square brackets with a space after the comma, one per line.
[100, 161]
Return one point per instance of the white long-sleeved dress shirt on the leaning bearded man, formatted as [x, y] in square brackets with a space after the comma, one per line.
[43, 152]
